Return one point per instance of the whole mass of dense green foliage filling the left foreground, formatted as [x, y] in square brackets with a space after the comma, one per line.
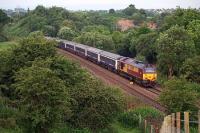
[45, 89]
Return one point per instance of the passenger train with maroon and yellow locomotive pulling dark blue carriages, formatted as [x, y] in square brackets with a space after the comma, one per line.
[132, 69]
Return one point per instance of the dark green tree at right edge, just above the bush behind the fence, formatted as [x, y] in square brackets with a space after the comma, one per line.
[191, 70]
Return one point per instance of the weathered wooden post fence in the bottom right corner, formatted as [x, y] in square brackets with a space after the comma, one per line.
[175, 123]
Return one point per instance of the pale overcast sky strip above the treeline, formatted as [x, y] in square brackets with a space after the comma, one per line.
[99, 4]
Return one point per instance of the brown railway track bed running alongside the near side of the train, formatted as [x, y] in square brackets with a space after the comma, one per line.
[148, 96]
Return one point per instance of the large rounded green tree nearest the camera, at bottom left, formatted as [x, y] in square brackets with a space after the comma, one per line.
[42, 98]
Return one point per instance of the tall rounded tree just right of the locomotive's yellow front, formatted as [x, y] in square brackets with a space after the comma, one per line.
[174, 47]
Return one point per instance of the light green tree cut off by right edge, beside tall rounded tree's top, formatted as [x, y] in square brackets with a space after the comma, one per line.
[193, 29]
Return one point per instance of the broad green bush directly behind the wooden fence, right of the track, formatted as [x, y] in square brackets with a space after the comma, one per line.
[179, 95]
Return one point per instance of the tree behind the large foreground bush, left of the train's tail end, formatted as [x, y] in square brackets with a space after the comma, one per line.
[30, 48]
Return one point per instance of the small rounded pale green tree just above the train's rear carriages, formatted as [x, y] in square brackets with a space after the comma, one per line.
[66, 33]
